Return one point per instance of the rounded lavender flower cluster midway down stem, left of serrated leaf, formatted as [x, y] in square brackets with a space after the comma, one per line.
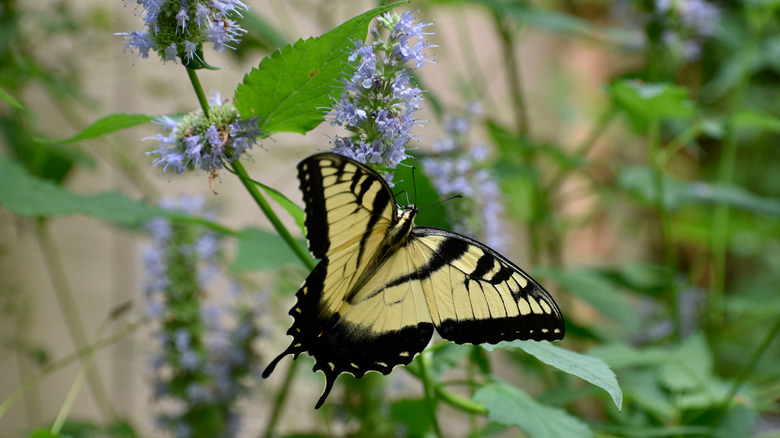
[197, 142]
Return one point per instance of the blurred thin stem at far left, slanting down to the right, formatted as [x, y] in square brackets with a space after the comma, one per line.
[70, 313]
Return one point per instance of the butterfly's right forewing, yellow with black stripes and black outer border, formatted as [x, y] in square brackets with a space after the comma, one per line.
[475, 295]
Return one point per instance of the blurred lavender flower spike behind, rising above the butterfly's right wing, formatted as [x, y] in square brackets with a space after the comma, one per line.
[457, 169]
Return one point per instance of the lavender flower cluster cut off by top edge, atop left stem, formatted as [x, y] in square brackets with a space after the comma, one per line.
[178, 28]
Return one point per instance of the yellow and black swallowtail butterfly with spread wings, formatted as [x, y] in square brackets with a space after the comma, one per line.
[383, 285]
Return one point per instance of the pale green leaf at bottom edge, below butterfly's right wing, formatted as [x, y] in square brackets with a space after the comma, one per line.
[512, 406]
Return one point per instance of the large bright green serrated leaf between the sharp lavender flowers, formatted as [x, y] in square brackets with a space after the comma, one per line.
[289, 89]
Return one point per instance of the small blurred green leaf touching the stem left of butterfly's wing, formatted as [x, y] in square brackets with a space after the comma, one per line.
[262, 250]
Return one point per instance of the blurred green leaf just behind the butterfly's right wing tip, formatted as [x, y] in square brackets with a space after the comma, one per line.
[597, 291]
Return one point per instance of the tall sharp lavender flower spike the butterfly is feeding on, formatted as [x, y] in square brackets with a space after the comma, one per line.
[378, 101]
